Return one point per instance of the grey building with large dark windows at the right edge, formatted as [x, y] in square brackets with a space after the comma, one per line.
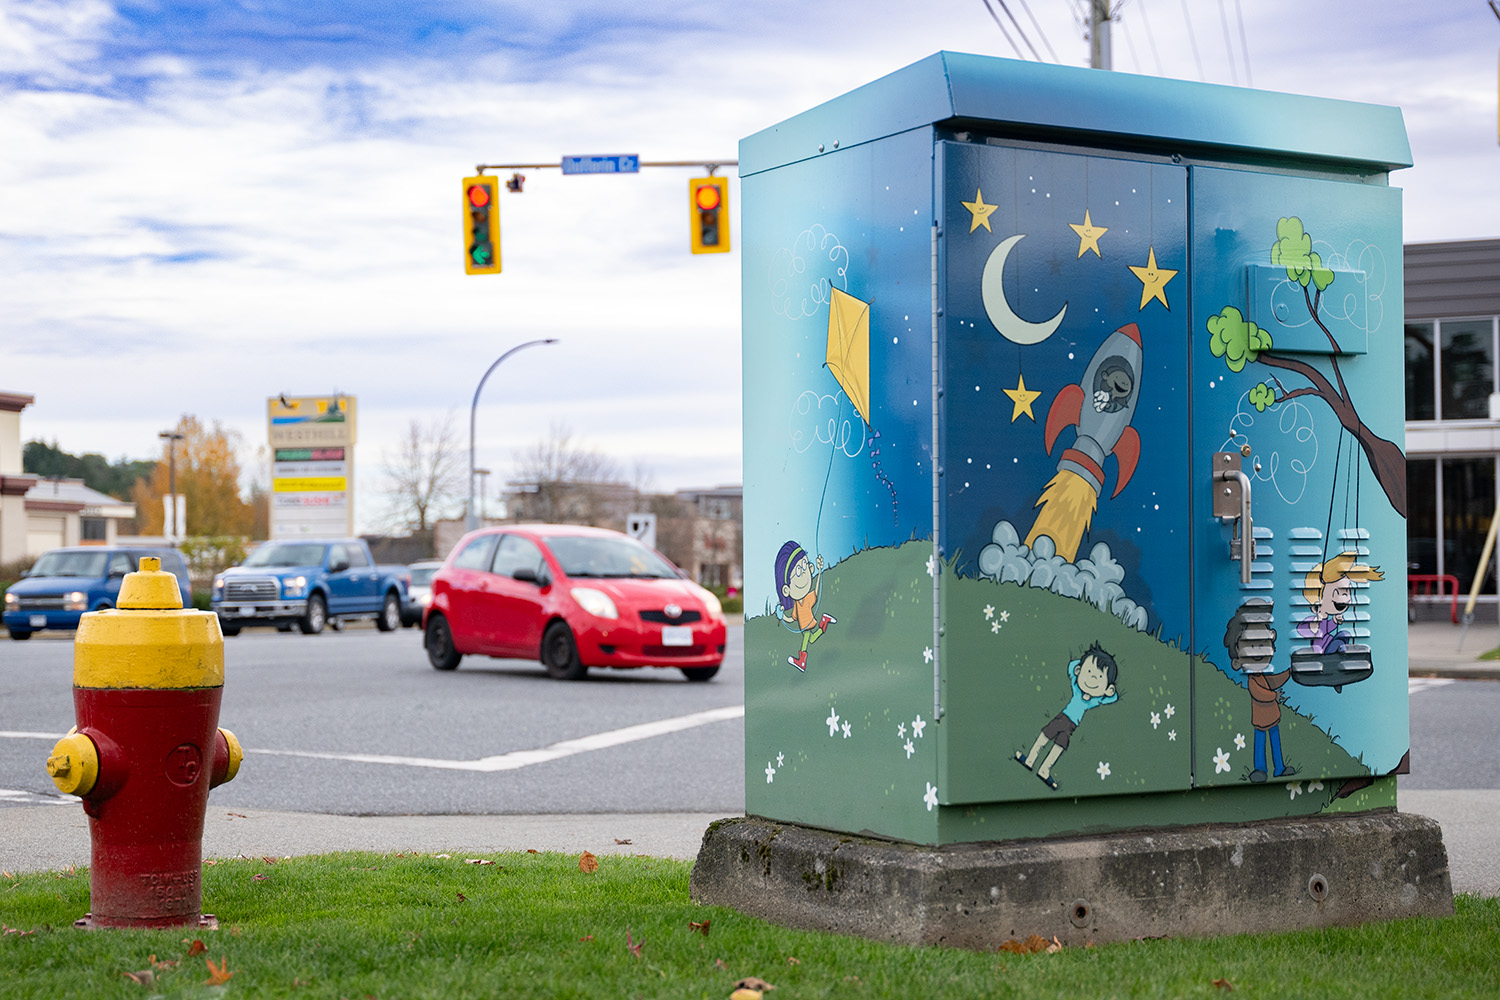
[1453, 344]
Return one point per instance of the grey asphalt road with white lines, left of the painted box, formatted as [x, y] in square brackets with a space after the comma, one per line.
[356, 723]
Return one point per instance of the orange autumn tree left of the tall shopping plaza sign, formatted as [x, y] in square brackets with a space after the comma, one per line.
[208, 478]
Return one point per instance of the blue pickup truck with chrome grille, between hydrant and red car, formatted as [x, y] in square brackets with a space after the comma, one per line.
[310, 584]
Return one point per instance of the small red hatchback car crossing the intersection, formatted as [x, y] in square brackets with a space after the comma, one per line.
[574, 597]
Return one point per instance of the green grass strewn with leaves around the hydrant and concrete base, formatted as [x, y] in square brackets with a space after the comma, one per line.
[535, 926]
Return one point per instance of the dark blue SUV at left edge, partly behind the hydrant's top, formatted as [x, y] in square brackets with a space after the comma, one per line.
[64, 584]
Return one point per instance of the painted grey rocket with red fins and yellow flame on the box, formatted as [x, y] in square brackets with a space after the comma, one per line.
[1100, 409]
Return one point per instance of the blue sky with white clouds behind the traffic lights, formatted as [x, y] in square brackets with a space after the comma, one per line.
[205, 205]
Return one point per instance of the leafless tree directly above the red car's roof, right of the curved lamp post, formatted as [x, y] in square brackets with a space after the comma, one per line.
[562, 481]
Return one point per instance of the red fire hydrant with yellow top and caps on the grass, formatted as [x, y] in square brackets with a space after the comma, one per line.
[148, 747]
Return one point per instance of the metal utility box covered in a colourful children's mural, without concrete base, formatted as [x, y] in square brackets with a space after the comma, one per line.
[1073, 442]
